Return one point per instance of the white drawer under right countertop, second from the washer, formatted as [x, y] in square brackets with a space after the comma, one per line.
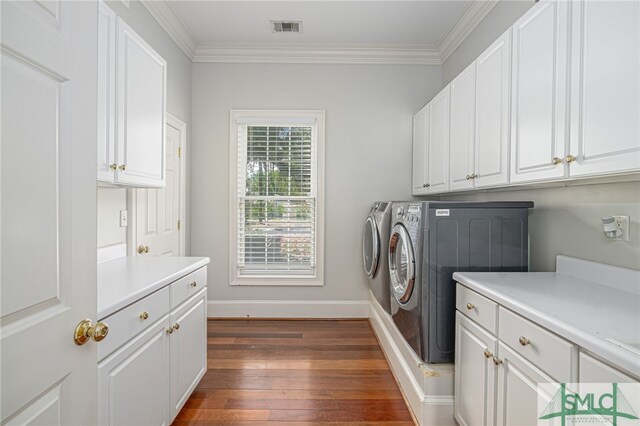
[553, 355]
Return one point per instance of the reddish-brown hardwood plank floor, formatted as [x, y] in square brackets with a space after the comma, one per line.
[267, 372]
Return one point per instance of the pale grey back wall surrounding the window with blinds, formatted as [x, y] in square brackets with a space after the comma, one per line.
[369, 109]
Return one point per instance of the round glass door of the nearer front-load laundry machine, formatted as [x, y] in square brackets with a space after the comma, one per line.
[401, 264]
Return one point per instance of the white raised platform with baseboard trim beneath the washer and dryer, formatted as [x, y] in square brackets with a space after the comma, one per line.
[428, 388]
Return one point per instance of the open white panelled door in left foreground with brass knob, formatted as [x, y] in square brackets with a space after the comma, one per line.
[48, 211]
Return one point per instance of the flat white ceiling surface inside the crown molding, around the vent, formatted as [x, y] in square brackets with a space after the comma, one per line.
[422, 23]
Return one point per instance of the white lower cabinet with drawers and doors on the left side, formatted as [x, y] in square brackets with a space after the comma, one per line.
[149, 370]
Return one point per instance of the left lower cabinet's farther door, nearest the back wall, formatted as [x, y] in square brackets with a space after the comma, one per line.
[188, 350]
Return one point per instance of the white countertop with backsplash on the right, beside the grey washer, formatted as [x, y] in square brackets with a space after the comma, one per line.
[584, 302]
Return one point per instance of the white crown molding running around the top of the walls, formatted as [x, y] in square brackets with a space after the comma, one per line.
[319, 53]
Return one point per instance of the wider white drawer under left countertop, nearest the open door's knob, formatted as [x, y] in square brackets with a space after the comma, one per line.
[128, 322]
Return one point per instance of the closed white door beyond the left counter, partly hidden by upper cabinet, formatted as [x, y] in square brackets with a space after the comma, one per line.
[159, 212]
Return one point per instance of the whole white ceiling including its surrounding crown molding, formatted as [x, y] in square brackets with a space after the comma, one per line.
[391, 31]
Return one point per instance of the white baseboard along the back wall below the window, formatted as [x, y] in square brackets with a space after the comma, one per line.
[288, 309]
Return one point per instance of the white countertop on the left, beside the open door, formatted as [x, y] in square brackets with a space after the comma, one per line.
[128, 279]
